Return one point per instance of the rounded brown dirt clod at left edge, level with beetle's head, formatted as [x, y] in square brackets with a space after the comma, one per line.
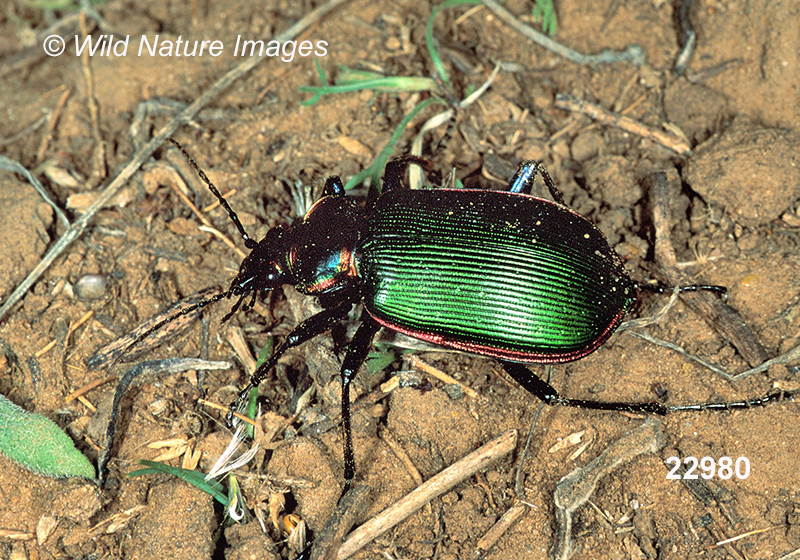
[24, 221]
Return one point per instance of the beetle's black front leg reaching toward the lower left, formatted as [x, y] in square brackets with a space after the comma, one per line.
[308, 329]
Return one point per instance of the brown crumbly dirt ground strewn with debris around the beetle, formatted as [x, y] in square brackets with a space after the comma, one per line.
[735, 203]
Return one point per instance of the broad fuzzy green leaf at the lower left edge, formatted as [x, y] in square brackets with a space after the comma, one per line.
[39, 445]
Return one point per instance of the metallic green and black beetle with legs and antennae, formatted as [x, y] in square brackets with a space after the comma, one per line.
[496, 273]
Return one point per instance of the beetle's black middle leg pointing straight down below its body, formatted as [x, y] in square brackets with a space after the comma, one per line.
[353, 360]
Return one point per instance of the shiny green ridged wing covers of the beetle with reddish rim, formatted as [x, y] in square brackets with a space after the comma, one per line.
[496, 273]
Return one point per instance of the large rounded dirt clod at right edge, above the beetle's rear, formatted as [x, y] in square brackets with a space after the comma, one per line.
[750, 170]
